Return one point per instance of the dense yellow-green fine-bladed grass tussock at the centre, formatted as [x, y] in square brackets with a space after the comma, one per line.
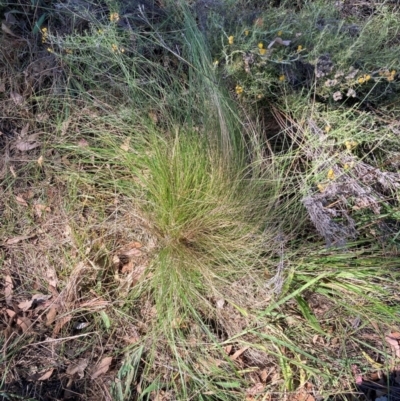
[209, 216]
